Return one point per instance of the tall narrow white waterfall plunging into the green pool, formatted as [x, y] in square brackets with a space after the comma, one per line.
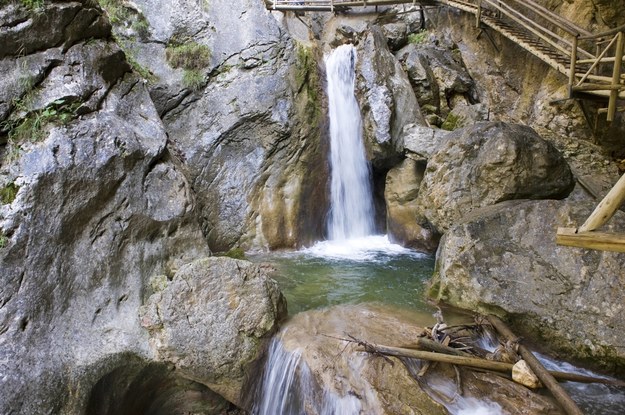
[351, 202]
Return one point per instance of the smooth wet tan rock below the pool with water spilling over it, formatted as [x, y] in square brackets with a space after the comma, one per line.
[331, 376]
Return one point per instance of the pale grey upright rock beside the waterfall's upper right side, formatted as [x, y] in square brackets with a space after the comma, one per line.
[387, 101]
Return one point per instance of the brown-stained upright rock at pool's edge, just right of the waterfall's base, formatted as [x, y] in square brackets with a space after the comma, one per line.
[404, 224]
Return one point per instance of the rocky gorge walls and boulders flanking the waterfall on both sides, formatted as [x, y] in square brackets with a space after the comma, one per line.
[131, 152]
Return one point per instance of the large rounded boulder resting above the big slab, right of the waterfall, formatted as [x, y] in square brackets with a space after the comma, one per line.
[486, 164]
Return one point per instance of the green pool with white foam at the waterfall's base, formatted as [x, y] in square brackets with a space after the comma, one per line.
[362, 270]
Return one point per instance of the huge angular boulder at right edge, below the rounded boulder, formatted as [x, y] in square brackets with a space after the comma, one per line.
[504, 259]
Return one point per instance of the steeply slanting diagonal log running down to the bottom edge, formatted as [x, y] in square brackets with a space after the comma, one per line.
[539, 370]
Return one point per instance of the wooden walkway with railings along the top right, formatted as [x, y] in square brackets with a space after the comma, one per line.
[592, 63]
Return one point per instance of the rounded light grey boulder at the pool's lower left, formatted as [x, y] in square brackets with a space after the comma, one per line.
[212, 320]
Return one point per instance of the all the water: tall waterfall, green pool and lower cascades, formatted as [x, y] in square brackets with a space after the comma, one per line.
[356, 267]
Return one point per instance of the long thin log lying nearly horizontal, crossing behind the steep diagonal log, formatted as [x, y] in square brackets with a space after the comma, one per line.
[480, 363]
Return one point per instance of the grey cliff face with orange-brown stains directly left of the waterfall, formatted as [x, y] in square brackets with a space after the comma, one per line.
[249, 130]
